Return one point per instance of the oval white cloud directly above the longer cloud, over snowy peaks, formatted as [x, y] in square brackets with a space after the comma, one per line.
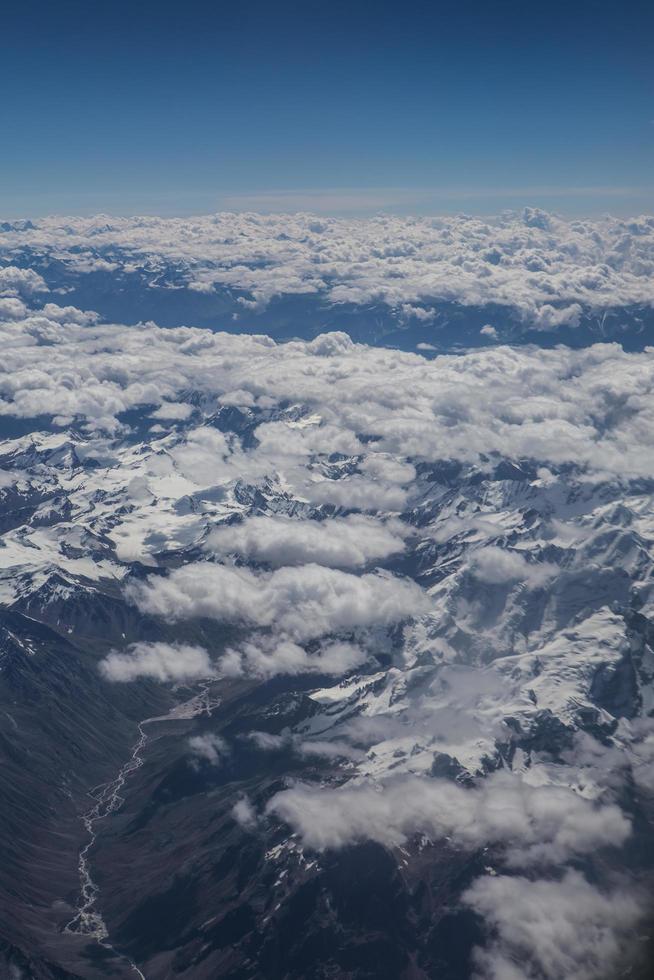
[349, 542]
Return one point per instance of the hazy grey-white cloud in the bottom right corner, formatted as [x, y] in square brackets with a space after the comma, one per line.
[549, 929]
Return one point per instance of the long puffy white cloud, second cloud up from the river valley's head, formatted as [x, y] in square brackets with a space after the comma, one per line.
[301, 602]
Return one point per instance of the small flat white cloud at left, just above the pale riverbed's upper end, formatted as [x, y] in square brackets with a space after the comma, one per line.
[159, 661]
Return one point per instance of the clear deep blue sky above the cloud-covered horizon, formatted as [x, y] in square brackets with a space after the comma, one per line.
[414, 107]
